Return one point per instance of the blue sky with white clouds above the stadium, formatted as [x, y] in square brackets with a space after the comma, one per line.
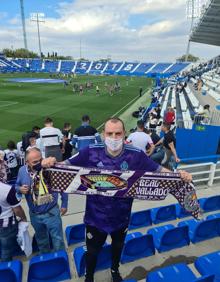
[143, 30]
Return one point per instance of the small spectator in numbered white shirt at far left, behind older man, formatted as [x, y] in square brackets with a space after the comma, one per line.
[11, 158]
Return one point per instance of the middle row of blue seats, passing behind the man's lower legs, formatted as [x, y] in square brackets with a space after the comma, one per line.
[163, 238]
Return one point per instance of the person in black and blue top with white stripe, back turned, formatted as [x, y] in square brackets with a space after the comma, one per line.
[85, 134]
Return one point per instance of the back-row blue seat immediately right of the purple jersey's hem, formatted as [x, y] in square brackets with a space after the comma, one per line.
[140, 219]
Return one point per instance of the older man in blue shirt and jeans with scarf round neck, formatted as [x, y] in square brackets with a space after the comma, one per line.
[45, 214]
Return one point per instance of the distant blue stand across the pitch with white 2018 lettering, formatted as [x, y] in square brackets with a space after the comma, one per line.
[95, 68]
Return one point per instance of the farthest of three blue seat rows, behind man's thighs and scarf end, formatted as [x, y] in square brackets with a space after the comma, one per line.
[76, 233]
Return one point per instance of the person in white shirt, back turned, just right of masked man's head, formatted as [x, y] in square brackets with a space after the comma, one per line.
[140, 139]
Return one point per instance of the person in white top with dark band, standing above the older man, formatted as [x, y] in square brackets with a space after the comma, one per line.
[52, 140]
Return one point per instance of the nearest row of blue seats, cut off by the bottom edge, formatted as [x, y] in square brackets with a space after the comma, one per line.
[55, 267]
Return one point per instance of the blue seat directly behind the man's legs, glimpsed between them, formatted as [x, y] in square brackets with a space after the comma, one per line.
[103, 262]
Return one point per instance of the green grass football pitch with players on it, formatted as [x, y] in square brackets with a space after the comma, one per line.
[24, 105]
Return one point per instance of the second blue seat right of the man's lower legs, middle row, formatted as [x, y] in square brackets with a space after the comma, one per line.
[169, 237]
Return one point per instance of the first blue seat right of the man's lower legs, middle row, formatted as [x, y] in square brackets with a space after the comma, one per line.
[139, 247]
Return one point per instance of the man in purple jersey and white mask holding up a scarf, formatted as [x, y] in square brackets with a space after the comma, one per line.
[109, 215]
